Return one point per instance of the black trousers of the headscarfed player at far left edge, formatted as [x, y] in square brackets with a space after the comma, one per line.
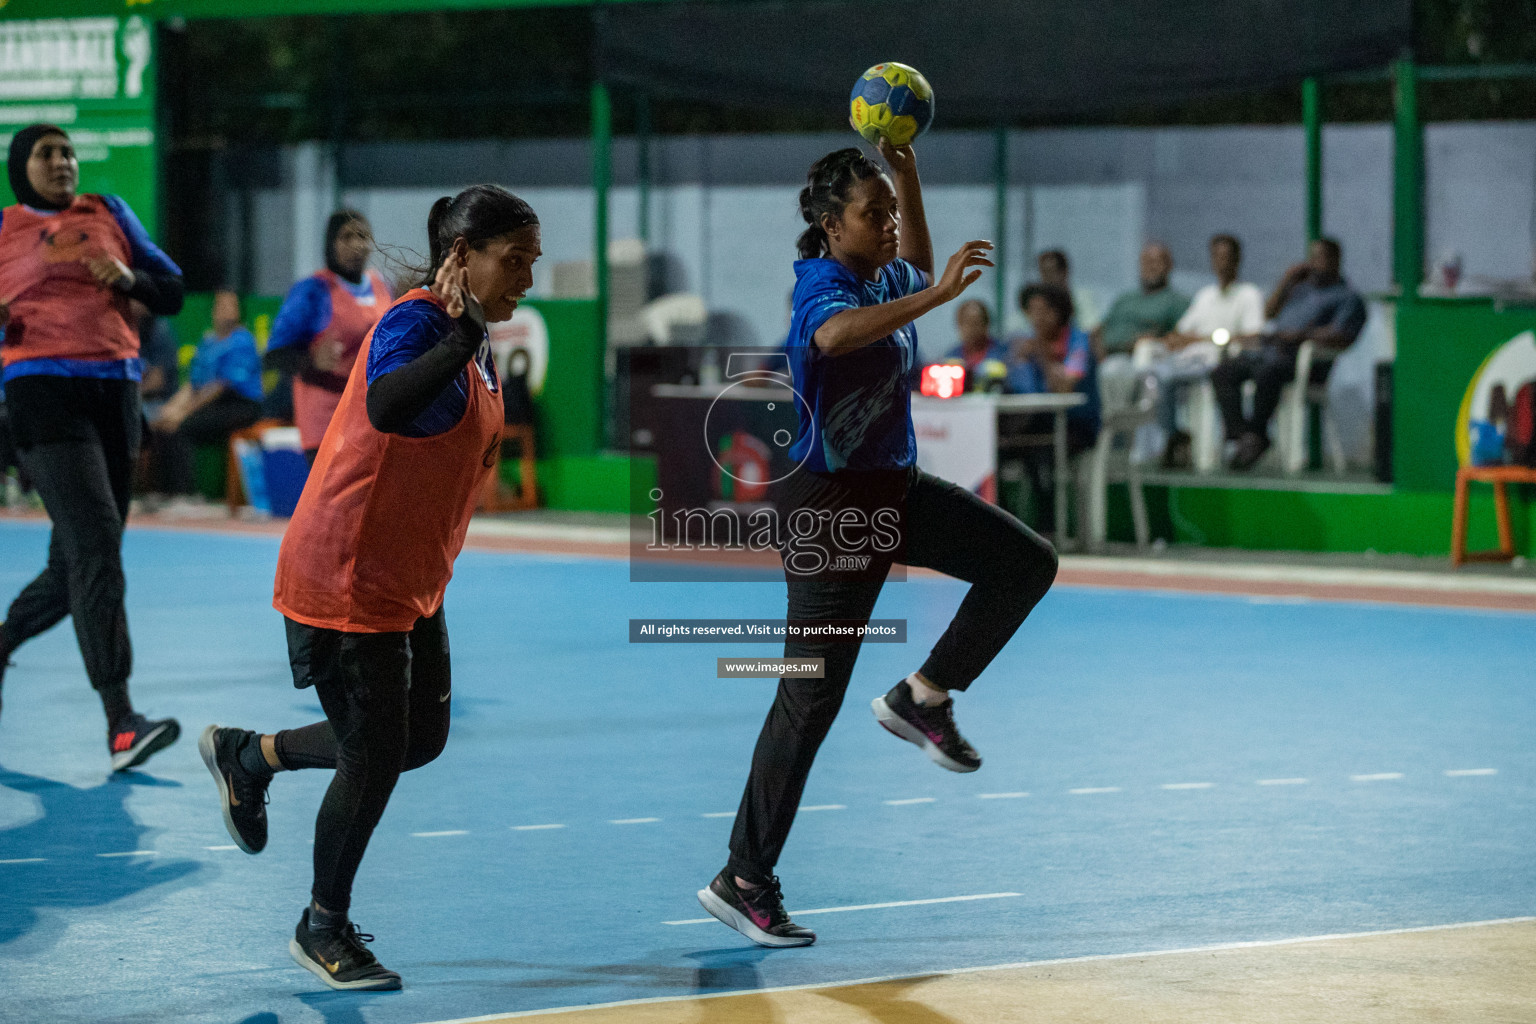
[78, 440]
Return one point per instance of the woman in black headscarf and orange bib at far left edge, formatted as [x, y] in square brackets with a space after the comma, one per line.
[70, 266]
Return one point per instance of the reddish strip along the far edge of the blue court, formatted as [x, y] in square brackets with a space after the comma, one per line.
[1164, 581]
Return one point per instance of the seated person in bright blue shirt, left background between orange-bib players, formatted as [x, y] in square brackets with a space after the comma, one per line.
[223, 395]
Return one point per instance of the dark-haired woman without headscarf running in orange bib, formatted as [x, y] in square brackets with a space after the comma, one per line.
[368, 557]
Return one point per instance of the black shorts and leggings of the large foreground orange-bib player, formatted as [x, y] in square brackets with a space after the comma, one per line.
[386, 699]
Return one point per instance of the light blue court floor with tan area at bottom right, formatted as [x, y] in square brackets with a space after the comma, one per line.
[1188, 770]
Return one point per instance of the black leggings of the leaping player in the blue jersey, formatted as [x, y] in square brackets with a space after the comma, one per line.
[945, 529]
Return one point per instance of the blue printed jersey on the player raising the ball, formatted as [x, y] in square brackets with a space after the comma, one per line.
[858, 408]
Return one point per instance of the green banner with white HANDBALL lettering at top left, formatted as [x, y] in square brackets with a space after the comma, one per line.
[96, 79]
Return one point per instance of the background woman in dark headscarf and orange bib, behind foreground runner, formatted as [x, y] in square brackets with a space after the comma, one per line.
[325, 319]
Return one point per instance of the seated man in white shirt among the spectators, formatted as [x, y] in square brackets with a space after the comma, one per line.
[1194, 349]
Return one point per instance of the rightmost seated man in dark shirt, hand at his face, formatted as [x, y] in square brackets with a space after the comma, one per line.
[1313, 303]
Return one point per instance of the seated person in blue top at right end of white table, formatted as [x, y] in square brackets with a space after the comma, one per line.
[1059, 358]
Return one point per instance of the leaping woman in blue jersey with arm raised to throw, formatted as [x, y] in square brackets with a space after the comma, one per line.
[866, 274]
